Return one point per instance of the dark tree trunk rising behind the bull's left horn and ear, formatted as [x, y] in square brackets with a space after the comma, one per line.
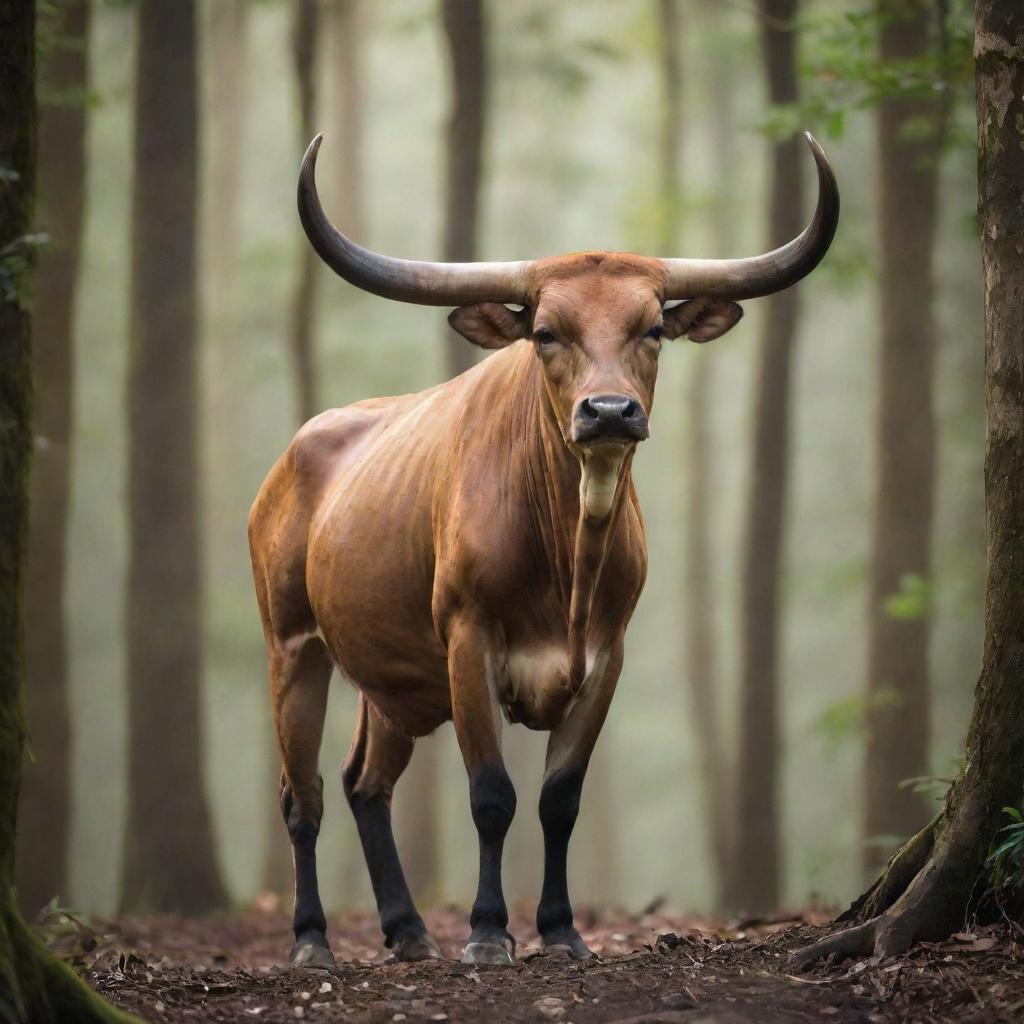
[465, 32]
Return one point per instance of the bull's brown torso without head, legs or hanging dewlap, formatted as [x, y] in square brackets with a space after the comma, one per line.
[401, 516]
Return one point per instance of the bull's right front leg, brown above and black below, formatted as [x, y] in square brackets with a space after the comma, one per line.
[569, 754]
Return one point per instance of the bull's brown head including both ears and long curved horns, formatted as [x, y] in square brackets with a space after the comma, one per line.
[598, 320]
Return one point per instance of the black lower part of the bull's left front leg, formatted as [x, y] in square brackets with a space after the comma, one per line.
[493, 801]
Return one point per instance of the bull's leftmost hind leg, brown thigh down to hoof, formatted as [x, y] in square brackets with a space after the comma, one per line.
[301, 674]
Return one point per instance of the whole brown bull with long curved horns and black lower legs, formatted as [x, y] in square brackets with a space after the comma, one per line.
[478, 549]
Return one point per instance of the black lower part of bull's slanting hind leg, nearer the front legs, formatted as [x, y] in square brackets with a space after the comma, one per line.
[400, 919]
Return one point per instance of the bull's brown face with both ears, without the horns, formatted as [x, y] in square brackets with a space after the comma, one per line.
[598, 324]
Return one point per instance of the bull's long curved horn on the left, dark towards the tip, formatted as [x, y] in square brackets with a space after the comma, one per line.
[409, 281]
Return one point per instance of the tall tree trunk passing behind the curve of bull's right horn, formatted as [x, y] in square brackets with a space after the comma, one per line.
[755, 880]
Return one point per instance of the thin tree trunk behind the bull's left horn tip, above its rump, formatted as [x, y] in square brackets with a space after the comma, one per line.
[305, 296]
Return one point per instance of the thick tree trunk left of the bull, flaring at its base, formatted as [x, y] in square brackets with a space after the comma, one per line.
[170, 865]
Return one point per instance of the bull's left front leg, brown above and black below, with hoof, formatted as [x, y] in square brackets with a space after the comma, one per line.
[492, 796]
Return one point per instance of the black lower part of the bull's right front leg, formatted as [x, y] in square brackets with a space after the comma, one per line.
[559, 810]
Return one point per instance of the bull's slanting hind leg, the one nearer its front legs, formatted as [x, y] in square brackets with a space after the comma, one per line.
[378, 757]
